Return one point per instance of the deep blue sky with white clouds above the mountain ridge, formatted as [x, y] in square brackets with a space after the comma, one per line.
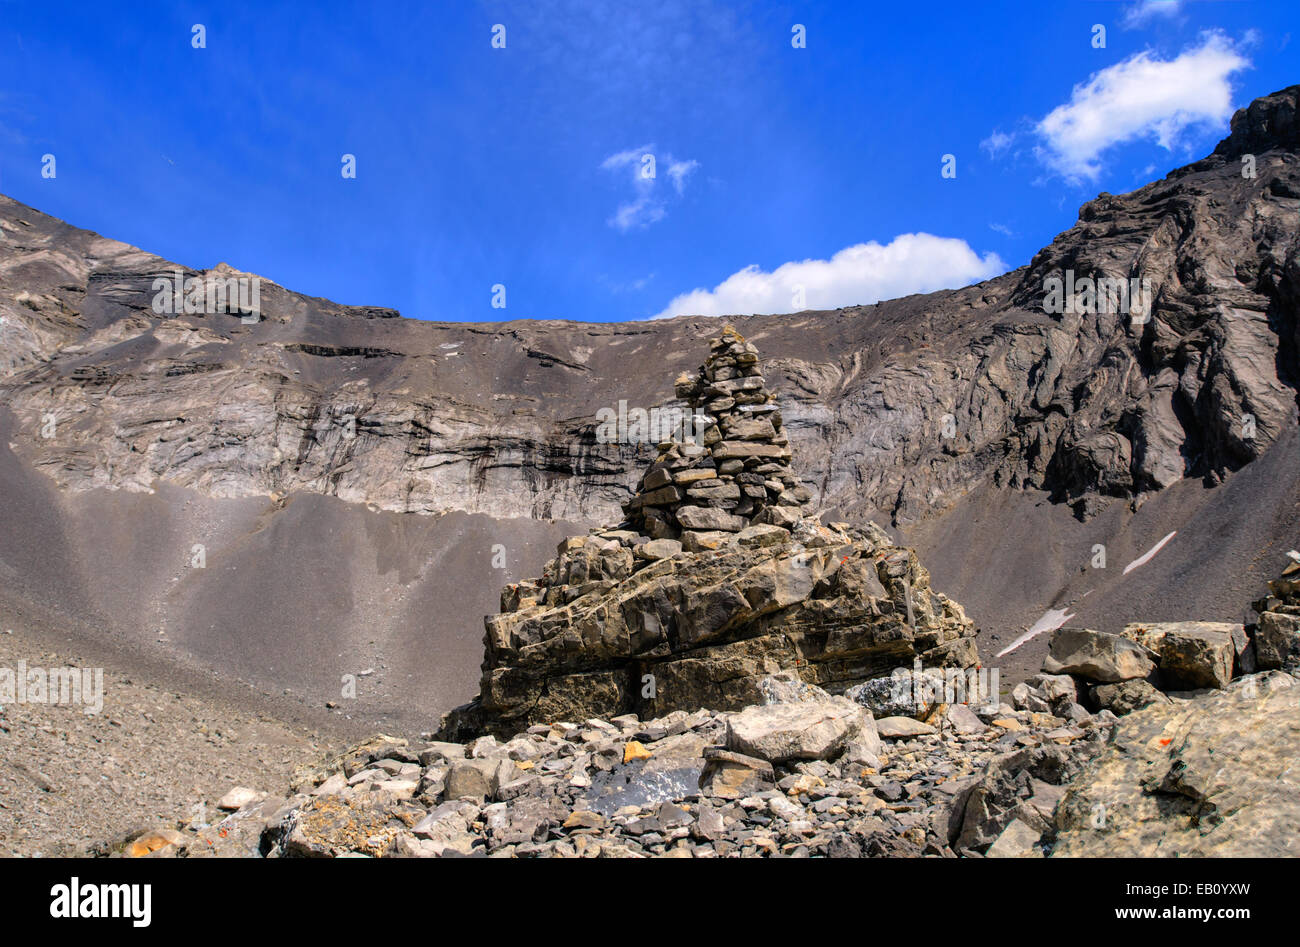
[523, 166]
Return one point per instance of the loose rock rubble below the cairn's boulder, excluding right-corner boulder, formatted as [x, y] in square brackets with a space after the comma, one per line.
[804, 776]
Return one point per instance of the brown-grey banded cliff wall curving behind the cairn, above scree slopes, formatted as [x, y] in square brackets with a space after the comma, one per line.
[907, 412]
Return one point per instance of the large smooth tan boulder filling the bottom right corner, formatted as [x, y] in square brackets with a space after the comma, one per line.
[1207, 777]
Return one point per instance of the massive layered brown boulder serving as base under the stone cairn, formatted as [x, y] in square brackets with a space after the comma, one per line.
[606, 633]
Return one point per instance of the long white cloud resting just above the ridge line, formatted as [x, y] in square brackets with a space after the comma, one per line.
[856, 276]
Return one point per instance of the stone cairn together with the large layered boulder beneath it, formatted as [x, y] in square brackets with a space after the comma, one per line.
[697, 617]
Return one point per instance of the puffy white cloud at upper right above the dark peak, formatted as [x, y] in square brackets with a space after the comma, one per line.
[1142, 97]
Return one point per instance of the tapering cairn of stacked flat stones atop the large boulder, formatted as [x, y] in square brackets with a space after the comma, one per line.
[740, 475]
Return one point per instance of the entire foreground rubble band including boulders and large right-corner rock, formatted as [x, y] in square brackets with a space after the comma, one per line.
[924, 763]
